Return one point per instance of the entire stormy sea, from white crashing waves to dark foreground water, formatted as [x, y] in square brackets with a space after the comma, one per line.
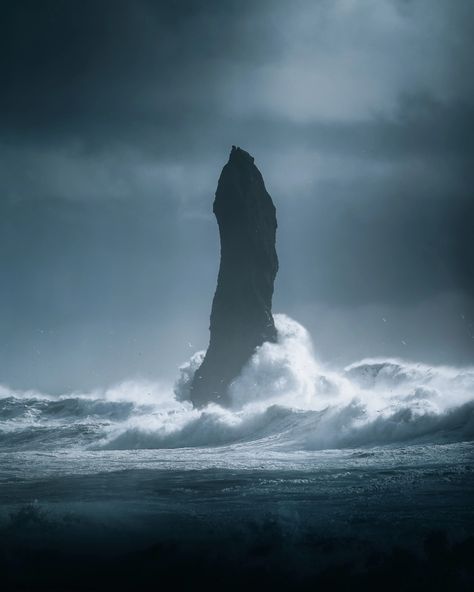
[340, 477]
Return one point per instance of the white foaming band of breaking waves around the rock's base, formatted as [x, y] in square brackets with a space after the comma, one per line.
[284, 399]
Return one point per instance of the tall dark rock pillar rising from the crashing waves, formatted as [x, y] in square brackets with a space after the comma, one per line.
[241, 317]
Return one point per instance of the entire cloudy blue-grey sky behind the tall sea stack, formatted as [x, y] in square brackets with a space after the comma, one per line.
[116, 118]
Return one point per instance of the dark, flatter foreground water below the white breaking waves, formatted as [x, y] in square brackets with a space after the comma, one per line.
[104, 520]
